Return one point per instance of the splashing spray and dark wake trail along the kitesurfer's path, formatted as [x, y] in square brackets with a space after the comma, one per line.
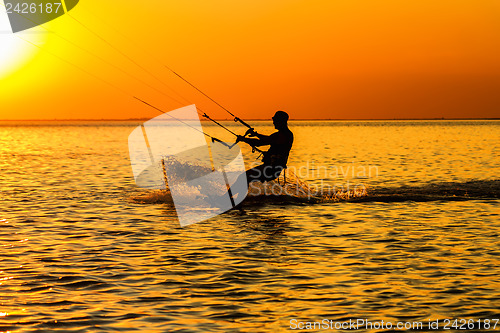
[290, 188]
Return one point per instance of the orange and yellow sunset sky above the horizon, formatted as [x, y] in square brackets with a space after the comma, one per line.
[331, 59]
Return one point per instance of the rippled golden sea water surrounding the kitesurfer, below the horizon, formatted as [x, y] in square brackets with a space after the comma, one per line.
[79, 254]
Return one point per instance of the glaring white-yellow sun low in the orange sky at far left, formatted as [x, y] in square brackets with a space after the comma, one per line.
[14, 51]
